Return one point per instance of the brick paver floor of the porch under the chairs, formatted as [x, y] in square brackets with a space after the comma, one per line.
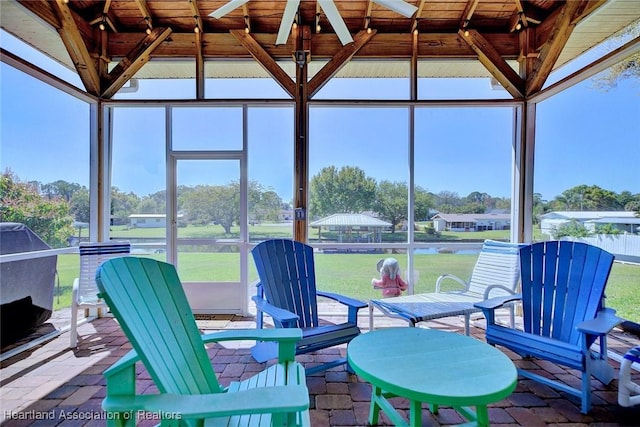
[54, 385]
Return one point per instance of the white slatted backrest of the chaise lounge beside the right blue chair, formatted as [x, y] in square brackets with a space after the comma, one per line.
[497, 264]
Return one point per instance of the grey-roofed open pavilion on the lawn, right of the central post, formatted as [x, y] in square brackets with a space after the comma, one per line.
[352, 227]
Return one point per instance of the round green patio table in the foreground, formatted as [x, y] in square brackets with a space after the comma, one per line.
[431, 366]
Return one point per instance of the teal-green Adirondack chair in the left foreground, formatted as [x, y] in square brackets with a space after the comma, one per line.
[148, 300]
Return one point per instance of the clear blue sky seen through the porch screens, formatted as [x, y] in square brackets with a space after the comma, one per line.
[584, 136]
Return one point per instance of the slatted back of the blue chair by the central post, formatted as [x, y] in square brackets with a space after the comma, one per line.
[287, 276]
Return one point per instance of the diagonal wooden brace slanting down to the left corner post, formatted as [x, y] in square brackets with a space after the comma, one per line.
[135, 60]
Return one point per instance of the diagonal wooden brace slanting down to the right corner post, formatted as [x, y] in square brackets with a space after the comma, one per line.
[493, 62]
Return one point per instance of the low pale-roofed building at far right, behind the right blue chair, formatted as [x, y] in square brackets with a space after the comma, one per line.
[622, 220]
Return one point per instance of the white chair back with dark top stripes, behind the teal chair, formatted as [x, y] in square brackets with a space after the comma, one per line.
[91, 256]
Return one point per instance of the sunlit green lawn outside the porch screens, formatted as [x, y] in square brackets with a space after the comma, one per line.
[351, 274]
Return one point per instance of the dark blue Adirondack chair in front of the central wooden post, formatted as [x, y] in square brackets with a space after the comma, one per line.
[287, 292]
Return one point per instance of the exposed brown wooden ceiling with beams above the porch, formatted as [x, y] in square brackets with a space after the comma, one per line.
[129, 33]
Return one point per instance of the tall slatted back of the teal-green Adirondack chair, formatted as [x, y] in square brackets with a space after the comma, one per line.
[147, 298]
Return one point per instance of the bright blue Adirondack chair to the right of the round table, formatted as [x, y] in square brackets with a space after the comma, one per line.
[563, 312]
